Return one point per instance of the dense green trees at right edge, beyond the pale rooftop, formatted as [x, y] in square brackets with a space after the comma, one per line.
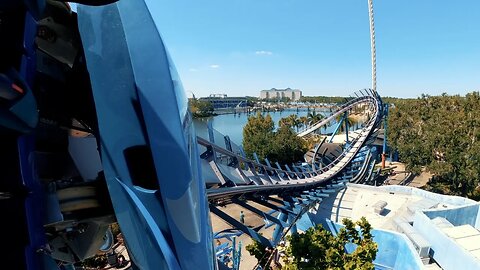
[441, 134]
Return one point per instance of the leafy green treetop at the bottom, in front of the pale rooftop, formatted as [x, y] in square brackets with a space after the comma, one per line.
[317, 248]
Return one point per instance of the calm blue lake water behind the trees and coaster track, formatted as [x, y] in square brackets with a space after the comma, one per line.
[232, 124]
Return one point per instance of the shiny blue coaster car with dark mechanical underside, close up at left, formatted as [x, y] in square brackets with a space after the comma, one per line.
[95, 129]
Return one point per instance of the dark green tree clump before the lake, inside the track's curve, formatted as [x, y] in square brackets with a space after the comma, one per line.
[282, 145]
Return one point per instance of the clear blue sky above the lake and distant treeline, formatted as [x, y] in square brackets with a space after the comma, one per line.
[239, 47]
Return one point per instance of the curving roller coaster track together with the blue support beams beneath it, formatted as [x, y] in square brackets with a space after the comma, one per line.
[289, 194]
